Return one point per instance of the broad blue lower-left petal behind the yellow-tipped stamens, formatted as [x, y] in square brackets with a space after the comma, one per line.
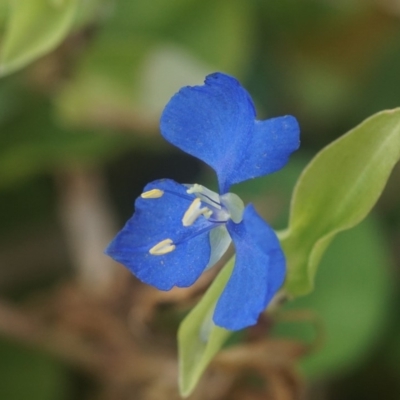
[157, 219]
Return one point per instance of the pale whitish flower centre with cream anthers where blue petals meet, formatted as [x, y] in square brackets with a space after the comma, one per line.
[215, 208]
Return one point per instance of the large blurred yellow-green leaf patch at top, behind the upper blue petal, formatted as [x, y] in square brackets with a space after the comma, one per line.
[133, 68]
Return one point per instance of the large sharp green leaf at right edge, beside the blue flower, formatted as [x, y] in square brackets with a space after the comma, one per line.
[336, 191]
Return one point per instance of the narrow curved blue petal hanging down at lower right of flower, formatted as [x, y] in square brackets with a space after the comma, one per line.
[258, 273]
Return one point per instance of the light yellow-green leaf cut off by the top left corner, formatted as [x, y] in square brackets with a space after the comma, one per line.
[34, 28]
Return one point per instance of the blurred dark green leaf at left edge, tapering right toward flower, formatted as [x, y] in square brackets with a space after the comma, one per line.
[36, 144]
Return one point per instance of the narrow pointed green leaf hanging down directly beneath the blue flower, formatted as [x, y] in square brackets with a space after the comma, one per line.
[199, 339]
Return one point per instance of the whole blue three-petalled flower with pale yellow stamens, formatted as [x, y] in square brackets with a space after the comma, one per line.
[177, 231]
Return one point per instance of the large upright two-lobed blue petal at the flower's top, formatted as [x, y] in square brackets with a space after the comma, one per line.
[216, 123]
